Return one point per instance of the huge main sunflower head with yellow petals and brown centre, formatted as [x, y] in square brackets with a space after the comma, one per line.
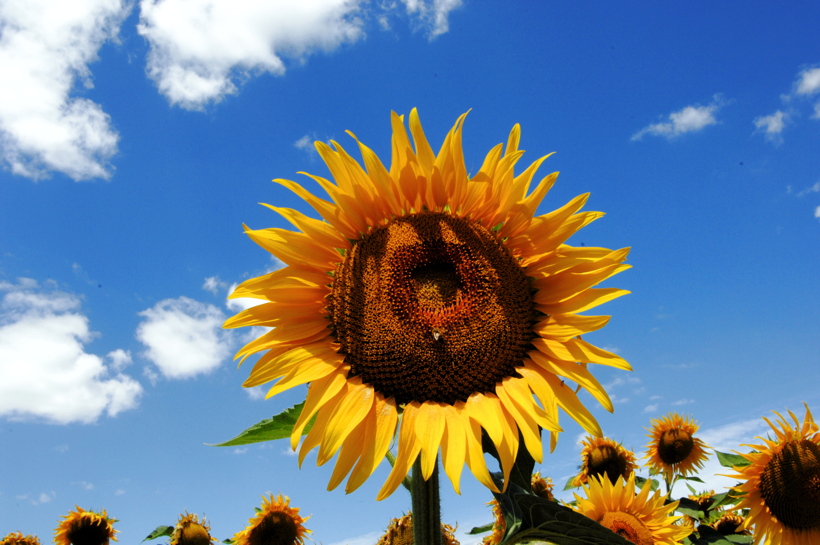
[429, 305]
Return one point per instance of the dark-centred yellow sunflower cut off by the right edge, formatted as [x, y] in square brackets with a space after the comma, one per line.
[782, 484]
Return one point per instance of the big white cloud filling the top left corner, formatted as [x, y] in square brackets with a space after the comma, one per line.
[45, 122]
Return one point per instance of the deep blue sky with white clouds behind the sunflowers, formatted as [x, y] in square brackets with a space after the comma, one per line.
[137, 137]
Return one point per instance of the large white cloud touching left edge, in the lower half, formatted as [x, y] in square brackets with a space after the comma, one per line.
[45, 371]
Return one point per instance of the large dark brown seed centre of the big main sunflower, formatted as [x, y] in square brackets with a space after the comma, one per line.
[431, 307]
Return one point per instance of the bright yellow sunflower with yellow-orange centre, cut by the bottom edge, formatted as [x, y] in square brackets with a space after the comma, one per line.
[641, 519]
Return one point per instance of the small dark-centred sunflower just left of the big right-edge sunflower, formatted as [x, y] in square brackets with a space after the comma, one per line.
[673, 448]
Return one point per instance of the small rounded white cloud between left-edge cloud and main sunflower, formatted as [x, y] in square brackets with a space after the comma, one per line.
[184, 337]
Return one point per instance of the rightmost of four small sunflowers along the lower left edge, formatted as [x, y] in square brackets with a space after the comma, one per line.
[276, 523]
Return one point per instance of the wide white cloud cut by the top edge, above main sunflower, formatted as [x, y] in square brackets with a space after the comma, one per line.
[202, 50]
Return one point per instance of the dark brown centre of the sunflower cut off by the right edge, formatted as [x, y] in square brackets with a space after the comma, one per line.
[790, 485]
